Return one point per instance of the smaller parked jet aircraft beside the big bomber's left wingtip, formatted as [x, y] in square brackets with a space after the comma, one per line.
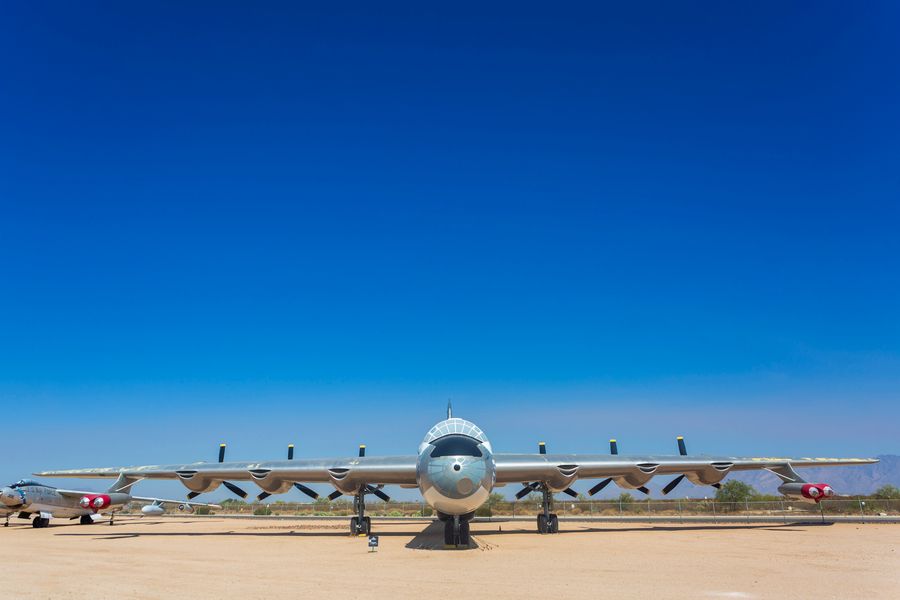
[28, 497]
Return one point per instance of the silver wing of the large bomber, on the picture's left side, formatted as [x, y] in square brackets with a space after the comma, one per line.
[346, 474]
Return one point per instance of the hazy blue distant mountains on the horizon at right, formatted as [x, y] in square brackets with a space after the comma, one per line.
[849, 480]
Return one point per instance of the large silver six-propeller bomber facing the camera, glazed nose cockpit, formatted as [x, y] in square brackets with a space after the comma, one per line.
[456, 470]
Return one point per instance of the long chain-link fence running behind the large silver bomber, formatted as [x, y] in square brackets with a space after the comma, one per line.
[683, 510]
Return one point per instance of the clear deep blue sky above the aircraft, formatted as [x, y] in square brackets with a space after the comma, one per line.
[285, 223]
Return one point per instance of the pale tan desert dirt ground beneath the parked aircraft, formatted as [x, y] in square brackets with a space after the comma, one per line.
[261, 558]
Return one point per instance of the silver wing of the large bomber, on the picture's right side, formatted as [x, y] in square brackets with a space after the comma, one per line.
[560, 470]
